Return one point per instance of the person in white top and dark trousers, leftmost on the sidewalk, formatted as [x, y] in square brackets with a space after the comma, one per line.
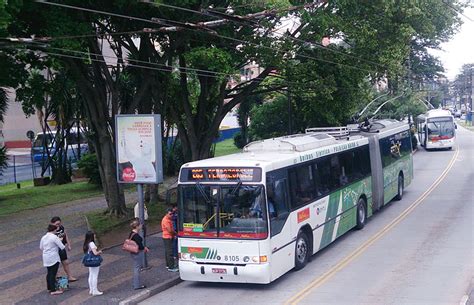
[50, 244]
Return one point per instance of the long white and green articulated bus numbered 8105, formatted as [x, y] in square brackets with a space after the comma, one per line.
[251, 217]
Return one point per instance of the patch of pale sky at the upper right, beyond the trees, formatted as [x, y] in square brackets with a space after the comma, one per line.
[460, 49]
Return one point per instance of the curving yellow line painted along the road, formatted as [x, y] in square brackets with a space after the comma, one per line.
[362, 248]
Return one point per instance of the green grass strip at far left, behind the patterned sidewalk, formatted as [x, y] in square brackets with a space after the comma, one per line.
[13, 200]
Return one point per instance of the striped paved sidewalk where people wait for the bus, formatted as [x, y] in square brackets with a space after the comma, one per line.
[22, 275]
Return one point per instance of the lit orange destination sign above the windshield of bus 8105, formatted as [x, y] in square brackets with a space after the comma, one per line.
[245, 174]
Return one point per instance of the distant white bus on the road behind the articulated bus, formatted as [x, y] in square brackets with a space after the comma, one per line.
[436, 129]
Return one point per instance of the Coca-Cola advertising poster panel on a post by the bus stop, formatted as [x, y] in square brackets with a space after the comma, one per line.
[138, 147]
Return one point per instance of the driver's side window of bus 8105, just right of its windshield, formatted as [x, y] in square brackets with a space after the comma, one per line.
[278, 193]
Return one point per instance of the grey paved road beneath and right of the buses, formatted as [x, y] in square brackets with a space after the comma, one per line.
[426, 257]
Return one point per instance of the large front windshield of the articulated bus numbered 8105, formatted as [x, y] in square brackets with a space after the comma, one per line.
[222, 211]
